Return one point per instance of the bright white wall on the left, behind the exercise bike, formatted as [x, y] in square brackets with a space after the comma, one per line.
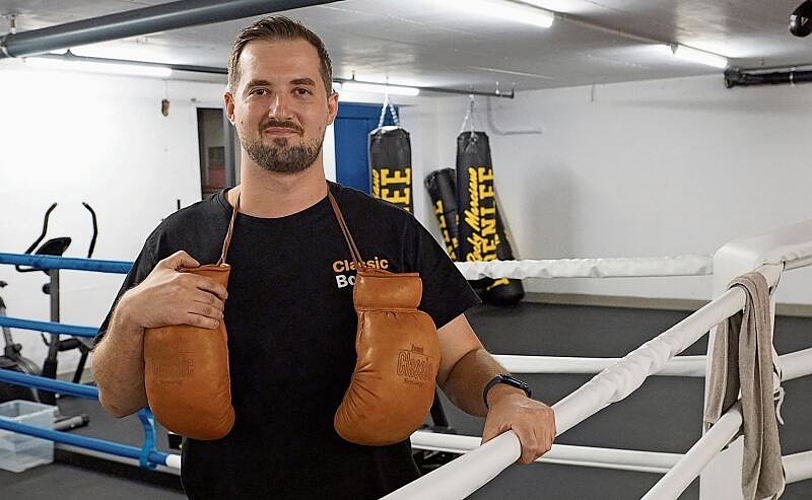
[68, 138]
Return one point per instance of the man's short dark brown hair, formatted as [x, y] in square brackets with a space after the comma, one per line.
[273, 28]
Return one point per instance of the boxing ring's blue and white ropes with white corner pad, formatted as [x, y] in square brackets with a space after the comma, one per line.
[772, 254]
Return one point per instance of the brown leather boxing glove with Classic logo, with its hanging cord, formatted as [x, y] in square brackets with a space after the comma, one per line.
[398, 355]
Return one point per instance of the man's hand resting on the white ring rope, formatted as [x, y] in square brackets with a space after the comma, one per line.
[531, 420]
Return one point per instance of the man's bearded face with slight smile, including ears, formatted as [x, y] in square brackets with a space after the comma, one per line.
[280, 107]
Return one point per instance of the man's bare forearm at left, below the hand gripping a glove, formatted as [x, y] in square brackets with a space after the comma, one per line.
[118, 367]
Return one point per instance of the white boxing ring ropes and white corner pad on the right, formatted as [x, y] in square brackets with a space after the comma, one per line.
[771, 254]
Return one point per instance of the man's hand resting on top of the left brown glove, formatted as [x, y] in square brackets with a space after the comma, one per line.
[169, 297]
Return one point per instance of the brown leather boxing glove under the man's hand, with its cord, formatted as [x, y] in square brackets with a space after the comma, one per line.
[186, 368]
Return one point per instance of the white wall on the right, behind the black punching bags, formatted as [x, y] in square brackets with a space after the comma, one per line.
[642, 169]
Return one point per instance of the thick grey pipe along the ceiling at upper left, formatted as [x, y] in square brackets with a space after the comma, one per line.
[136, 22]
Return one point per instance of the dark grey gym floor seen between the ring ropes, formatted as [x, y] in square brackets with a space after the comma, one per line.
[645, 421]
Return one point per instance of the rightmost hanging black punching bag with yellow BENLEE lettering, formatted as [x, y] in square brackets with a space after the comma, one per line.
[481, 233]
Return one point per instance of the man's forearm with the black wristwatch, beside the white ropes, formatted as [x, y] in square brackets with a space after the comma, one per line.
[468, 378]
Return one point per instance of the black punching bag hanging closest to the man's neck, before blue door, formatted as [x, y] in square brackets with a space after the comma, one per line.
[390, 166]
